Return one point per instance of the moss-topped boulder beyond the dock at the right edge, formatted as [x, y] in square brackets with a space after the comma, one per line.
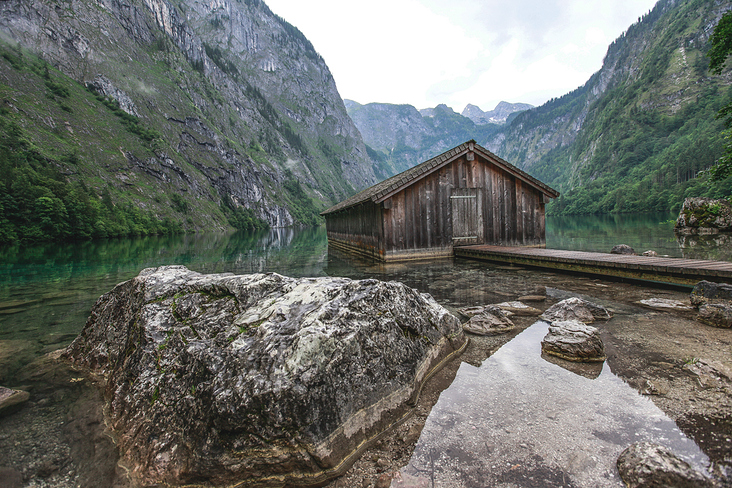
[704, 216]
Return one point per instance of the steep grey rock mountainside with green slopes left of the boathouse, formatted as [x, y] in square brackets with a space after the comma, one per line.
[201, 115]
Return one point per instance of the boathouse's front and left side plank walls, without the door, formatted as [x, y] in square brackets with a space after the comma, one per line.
[417, 222]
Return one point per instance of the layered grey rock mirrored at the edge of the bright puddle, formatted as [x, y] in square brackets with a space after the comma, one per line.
[574, 341]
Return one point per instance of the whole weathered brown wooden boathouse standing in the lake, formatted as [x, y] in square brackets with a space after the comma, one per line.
[465, 196]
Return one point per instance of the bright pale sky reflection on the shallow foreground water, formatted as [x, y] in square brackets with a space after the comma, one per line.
[520, 420]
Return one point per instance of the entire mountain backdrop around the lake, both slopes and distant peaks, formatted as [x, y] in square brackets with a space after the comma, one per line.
[157, 114]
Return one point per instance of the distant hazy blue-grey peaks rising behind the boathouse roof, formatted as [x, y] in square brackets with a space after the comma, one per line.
[400, 136]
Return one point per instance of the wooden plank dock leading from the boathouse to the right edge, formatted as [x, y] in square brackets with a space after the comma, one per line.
[656, 269]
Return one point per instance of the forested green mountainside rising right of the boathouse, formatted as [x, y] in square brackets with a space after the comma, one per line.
[634, 137]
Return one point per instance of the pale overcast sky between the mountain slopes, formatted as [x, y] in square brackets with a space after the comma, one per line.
[426, 52]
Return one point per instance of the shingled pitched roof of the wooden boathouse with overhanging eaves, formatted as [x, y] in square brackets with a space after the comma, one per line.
[381, 191]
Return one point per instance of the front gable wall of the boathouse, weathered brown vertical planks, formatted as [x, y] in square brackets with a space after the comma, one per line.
[420, 220]
